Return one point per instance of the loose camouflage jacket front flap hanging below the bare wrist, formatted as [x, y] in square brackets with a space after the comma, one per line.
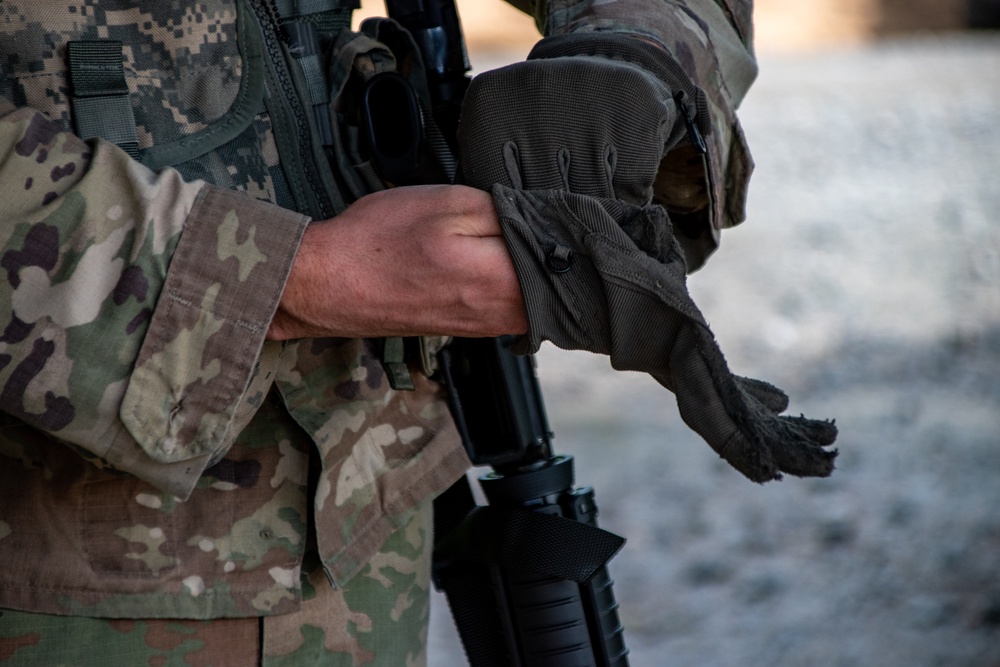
[380, 449]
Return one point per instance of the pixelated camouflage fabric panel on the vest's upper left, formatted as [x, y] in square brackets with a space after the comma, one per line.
[192, 71]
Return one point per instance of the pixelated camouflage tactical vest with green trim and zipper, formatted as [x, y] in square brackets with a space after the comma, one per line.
[264, 101]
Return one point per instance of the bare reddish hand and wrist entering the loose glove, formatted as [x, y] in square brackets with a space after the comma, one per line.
[423, 260]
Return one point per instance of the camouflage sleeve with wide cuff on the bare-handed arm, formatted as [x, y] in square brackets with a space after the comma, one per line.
[134, 305]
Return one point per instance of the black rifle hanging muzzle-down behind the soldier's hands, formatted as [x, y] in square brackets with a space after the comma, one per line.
[525, 576]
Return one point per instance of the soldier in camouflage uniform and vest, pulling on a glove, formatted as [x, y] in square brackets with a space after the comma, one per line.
[203, 458]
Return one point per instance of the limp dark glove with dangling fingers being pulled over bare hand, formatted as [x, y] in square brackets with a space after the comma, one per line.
[609, 277]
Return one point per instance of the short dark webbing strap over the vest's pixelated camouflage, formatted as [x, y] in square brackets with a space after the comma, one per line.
[101, 106]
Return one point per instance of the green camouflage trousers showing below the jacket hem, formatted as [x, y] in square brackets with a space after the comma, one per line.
[378, 618]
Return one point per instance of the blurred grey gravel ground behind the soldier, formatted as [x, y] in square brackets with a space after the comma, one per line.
[866, 283]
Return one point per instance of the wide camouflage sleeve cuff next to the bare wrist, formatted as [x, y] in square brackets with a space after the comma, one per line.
[205, 338]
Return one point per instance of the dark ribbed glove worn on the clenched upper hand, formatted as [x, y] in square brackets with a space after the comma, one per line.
[584, 124]
